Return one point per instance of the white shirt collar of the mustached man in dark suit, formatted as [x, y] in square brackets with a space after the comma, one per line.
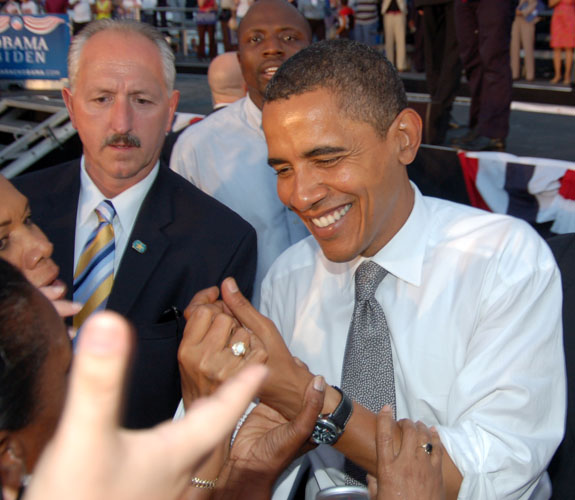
[127, 203]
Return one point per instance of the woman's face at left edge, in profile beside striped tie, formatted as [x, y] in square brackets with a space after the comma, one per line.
[22, 243]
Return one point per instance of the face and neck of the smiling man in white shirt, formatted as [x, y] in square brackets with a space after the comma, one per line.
[344, 180]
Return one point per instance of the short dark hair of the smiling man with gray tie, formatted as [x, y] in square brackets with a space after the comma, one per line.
[365, 83]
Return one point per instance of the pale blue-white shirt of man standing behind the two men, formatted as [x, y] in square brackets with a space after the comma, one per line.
[225, 155]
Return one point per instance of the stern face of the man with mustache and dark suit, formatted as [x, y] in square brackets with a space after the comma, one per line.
[121, 107]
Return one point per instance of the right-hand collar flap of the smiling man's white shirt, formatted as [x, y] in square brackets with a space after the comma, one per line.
[407, 266]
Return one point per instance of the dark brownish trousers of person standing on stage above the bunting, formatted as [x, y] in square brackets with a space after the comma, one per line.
[484, 36]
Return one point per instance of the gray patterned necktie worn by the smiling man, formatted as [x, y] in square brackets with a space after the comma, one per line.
[367, 376]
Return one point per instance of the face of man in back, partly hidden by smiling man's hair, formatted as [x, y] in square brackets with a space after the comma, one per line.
[271, 32]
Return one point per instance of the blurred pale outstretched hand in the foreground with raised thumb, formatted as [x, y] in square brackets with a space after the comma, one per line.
[92, 458]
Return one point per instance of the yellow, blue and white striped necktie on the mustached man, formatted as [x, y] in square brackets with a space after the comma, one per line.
[94, 274]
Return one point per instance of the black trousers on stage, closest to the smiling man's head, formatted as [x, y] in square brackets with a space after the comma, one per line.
[442, 68]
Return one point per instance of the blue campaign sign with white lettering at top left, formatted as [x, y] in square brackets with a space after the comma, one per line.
[34, 47]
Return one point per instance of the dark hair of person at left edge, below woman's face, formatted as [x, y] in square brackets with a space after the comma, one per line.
[23, 350]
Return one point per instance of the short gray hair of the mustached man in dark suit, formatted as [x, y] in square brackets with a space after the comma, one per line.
[124, 26]
